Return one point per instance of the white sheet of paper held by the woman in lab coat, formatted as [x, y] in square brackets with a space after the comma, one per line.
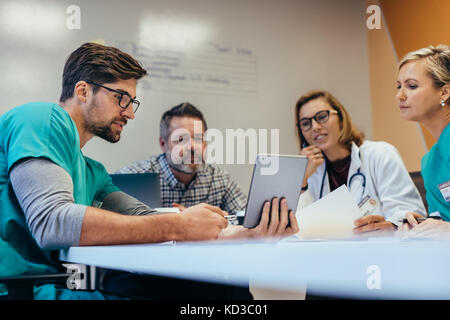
[331, 217]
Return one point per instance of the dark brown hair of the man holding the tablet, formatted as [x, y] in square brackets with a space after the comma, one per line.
[98, 63]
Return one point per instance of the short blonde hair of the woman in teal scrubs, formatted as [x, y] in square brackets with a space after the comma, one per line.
[437, 62]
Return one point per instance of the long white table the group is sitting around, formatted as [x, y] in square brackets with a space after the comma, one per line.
[382, 268]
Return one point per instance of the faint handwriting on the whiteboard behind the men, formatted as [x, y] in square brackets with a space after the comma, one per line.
[210, 69]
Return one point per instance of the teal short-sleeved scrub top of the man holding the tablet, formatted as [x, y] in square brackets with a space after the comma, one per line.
[42, 130]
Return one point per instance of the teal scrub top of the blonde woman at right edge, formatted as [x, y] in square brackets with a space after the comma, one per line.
[436, 173]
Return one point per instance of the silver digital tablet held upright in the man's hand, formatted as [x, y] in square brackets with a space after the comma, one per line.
[274, 176]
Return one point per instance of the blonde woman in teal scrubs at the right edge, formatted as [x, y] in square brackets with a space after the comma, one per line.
[423, 96]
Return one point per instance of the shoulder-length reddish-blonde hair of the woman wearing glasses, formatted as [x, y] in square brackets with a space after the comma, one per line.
[349, 132]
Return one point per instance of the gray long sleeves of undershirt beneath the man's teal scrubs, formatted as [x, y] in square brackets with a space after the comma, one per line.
[45, 193]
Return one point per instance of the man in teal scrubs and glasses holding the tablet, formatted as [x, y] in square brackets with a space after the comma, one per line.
[53, 197]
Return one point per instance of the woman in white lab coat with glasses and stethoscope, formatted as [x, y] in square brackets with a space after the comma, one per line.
[338, 154]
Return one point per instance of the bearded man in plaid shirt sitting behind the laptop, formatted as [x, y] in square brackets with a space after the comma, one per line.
[190, 181]
